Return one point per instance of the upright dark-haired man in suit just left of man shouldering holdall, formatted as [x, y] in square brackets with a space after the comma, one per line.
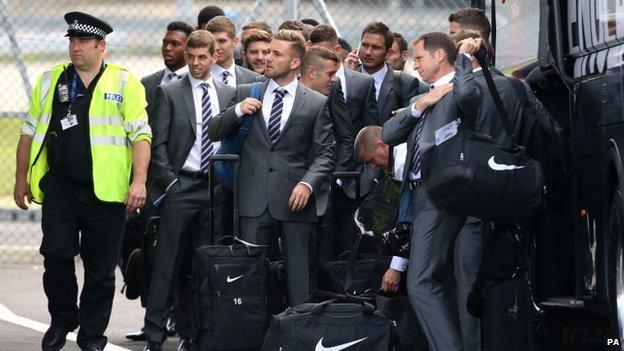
[393, 89]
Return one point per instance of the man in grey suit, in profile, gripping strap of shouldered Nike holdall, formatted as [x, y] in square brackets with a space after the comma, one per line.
[435, 232]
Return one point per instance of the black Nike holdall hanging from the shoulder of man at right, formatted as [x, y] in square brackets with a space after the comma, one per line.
[471, 174]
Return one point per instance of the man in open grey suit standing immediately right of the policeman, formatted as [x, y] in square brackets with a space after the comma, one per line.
[179, 166]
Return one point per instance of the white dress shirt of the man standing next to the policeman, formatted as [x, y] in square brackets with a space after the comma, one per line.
[193, 160]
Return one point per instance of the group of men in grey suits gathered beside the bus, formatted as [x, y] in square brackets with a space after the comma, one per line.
[323, 107]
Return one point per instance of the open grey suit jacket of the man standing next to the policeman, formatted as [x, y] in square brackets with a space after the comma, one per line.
[175, 130]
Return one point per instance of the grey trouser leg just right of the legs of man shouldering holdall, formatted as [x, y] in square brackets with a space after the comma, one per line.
[467, 258]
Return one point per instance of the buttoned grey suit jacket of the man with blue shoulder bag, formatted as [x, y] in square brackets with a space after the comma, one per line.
[304, 152]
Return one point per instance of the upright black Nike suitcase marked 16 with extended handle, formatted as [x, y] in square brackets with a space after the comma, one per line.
[229, 289]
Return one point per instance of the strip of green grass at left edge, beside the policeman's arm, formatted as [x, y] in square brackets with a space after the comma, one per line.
[9, 135]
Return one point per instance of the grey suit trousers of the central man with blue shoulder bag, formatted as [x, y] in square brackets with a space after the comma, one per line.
[298, 244]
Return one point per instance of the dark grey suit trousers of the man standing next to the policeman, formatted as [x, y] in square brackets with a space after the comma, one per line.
[184, 220]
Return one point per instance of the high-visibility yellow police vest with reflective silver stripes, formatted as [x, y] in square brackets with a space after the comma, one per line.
[117, 119]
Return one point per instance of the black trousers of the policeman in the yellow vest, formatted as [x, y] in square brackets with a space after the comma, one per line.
[71, 207]
